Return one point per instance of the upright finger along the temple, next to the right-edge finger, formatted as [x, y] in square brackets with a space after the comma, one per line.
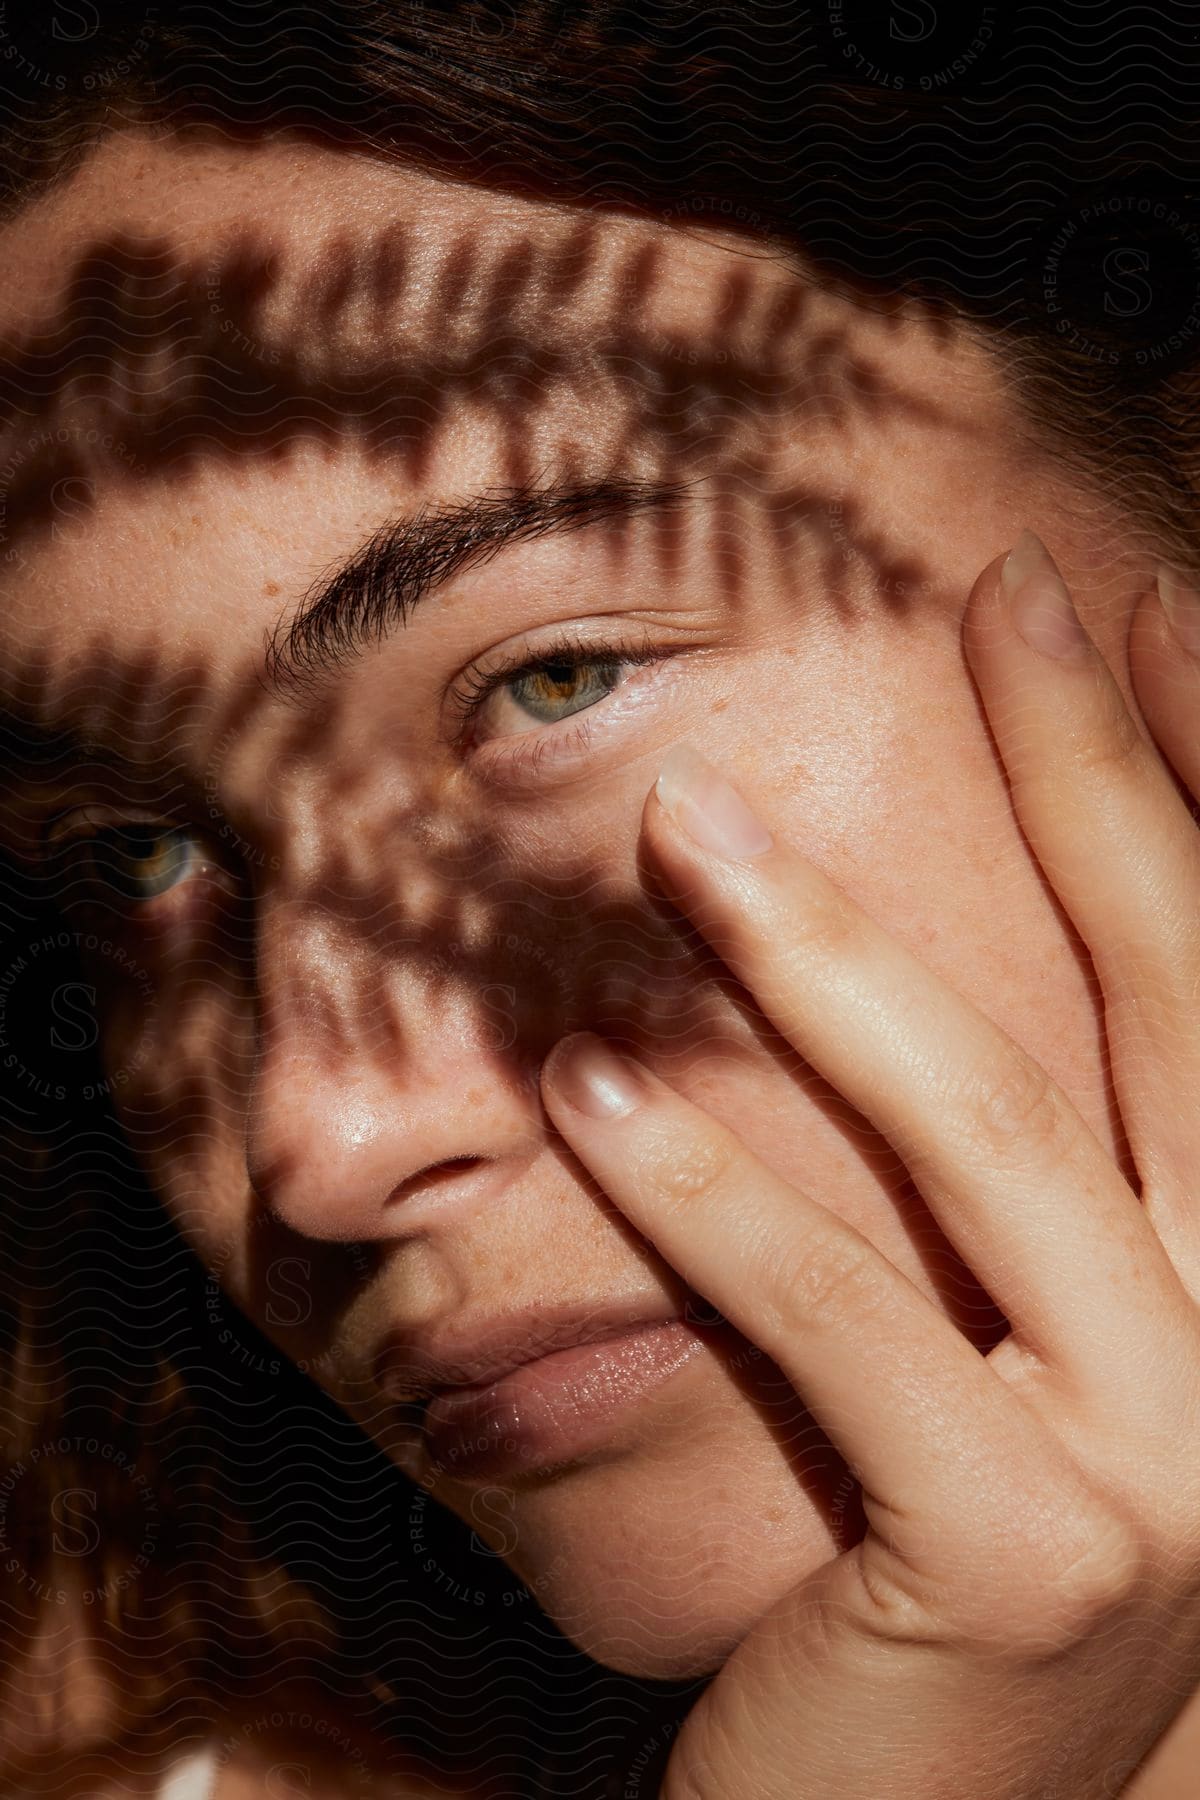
[1115, 838]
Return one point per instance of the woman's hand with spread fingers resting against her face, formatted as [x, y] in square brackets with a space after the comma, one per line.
[1023, 1608]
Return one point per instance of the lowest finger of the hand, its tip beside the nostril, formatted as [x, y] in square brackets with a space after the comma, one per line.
[893, 1383]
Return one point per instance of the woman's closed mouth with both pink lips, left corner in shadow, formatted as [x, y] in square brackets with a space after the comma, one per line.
[539, 1390]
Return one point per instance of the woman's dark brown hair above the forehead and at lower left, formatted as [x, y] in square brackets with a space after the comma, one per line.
[998, 163]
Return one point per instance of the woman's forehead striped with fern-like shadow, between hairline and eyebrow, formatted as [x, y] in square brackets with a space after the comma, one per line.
[226, 363]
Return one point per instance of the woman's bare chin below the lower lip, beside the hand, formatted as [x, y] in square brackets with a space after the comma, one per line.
[661, 1549]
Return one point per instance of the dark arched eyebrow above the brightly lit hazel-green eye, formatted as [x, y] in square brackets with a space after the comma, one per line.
[409, 559]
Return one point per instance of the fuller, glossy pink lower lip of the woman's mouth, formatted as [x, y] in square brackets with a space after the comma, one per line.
[553, 1410]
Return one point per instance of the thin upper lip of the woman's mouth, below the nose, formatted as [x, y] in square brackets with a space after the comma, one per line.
[470, 1354]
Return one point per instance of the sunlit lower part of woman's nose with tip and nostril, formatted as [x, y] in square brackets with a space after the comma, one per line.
[381, 1093]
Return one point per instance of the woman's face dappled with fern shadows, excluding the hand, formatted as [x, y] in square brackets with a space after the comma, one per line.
[359, 919]
